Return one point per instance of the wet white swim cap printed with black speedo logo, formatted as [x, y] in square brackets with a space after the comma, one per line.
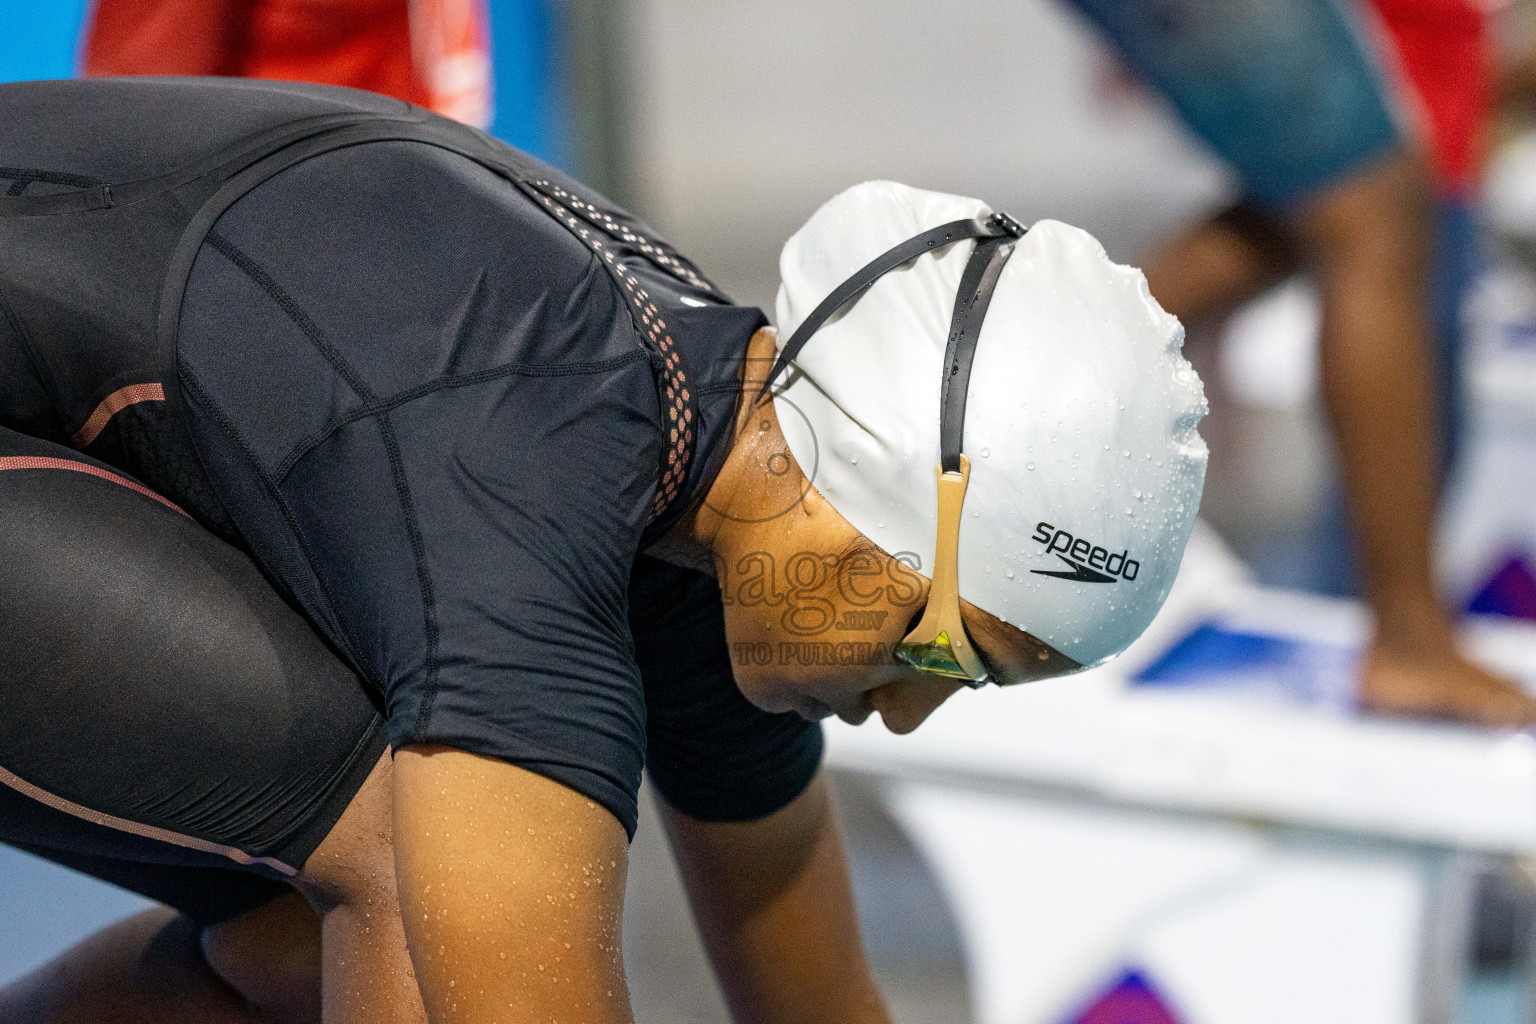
[1087, 466]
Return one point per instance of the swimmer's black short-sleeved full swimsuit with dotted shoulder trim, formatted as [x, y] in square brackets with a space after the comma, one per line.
[439, 394]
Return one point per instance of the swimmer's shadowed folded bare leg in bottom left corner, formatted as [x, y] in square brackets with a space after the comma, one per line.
[153, 969]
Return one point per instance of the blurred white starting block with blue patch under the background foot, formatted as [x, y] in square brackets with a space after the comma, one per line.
[1205, 831]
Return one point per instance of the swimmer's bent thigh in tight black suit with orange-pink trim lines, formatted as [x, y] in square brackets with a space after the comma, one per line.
[167, 722]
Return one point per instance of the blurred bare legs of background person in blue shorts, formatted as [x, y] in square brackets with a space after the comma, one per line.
[1366, 242]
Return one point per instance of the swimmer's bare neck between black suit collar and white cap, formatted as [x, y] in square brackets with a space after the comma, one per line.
[760, 489]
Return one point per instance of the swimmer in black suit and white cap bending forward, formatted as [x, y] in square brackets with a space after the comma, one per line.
[377, 503]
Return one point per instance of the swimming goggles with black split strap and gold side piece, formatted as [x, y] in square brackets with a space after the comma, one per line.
[939, 644]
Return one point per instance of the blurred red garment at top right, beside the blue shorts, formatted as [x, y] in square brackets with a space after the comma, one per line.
[1446, 53]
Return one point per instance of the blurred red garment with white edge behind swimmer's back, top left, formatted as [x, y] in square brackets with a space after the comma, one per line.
[432, 53]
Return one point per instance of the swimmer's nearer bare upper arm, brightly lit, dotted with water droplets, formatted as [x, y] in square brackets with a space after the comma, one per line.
[512, 890]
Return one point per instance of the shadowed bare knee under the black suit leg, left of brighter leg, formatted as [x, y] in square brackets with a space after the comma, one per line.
[271, 957]
